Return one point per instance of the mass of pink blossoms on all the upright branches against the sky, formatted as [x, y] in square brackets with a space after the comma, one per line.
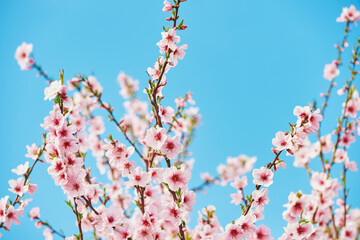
[148, 162]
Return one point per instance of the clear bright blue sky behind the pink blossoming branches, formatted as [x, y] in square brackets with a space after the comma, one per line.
[249, 63]
